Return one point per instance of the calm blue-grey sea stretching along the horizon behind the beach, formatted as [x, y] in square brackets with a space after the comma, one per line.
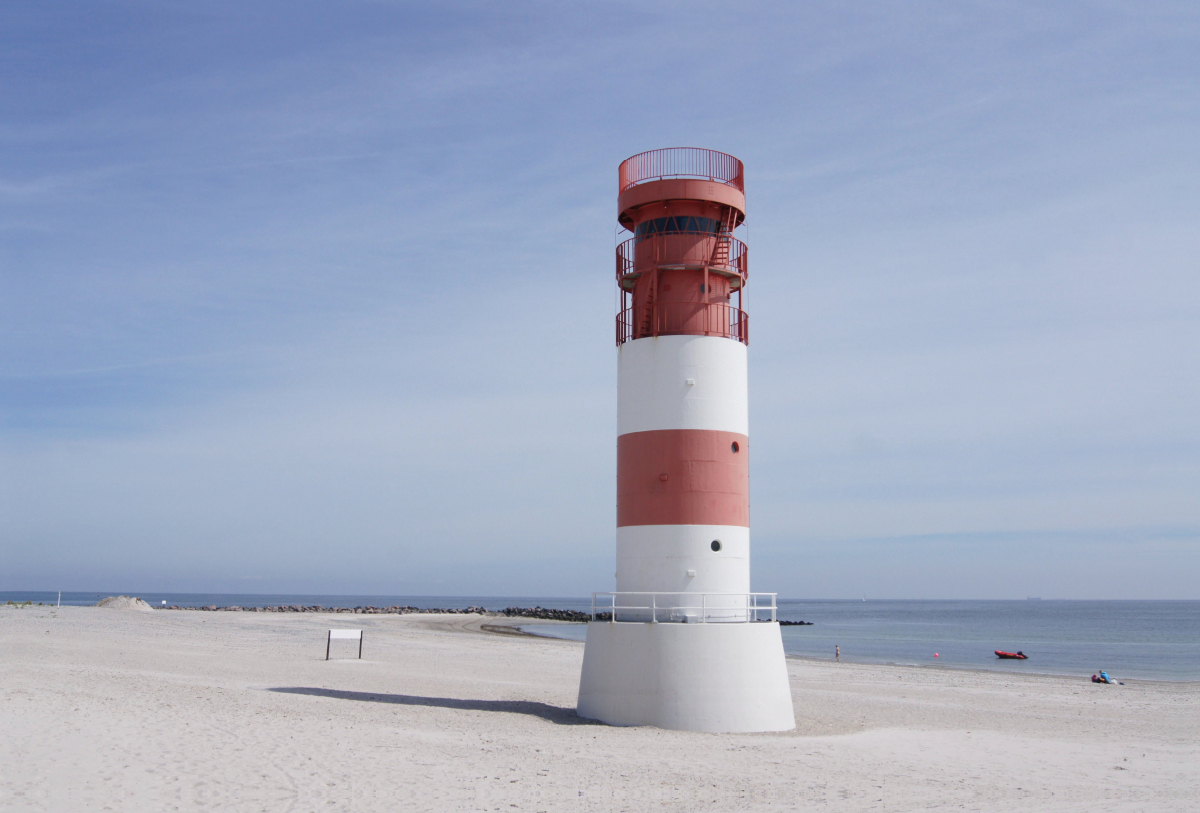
[1137, 640]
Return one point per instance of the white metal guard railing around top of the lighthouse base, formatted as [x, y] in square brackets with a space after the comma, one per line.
[683, 607]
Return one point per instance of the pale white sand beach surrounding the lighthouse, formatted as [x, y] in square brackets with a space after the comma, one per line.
[239, 712]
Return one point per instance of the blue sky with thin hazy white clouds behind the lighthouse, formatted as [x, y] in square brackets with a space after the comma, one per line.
[319, 297]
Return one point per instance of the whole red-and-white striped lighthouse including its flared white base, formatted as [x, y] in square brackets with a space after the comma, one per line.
[683, 643]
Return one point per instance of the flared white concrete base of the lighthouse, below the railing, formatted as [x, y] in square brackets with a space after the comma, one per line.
[687, 677]
